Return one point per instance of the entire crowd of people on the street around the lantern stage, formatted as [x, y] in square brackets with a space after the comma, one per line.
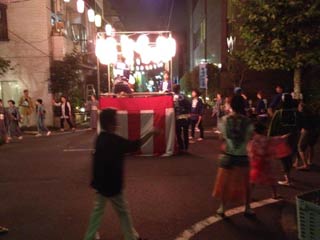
[252, 138]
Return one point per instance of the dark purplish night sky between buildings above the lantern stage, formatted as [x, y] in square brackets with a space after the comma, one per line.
[140, 15]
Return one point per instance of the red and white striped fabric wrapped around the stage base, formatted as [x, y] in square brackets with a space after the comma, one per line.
[137, 116]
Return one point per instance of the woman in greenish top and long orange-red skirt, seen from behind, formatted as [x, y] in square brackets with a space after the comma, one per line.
[232, 181]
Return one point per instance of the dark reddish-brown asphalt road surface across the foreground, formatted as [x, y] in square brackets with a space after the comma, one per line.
[45, 193]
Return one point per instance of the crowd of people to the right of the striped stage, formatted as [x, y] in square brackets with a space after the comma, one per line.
[253, 136]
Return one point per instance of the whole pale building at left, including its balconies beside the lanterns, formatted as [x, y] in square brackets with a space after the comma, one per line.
[33, 33]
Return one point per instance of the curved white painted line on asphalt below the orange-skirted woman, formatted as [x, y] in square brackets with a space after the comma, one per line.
[199, 226]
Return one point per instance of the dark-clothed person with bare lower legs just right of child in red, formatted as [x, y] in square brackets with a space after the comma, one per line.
[286, 121]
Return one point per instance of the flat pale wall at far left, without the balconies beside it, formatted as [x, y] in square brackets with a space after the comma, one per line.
[28, 49]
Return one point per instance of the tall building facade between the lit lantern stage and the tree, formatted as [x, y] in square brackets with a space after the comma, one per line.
[210, 31]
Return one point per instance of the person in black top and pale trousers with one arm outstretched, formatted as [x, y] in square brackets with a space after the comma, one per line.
[108, 173]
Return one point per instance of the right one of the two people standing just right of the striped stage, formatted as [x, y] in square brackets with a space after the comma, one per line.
[197, 109]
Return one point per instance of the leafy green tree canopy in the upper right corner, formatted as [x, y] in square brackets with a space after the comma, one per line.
[282, 34]
